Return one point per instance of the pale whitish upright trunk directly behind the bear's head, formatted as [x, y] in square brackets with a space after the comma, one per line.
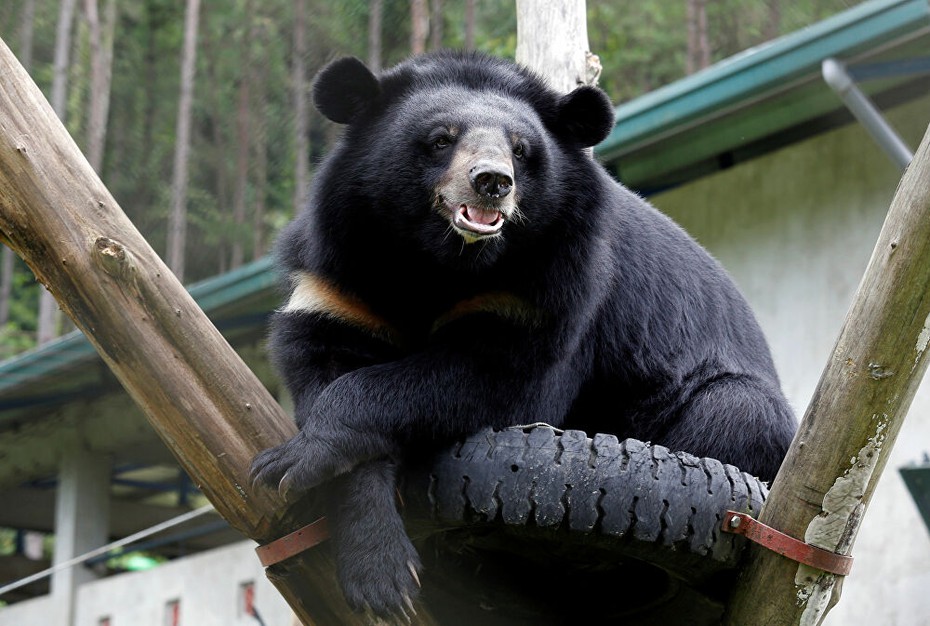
[552, 39]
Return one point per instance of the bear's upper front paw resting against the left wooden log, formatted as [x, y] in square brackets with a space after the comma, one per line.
[297, 465]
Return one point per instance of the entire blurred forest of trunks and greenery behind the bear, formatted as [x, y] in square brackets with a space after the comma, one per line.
[197, 116]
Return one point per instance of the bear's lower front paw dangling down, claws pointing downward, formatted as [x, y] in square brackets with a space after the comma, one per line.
[379, 569]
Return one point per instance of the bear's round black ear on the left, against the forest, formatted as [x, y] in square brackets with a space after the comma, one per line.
[343, 89]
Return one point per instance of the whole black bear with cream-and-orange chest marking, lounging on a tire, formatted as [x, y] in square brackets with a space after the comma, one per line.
[464, 263]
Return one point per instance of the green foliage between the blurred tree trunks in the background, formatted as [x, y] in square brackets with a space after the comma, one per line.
[642, 45]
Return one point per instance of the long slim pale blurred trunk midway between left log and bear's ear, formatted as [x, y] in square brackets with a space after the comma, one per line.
[177, 223]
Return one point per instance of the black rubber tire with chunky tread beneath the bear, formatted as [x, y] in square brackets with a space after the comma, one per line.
[593, 501]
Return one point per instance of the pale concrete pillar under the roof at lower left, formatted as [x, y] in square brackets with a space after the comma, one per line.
[82, 516]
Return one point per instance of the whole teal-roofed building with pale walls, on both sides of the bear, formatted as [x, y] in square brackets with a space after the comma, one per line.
[757, 156]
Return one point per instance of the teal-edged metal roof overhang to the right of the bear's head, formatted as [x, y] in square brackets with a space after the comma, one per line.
[718, 115]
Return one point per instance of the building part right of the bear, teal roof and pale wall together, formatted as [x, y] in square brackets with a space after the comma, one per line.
[760, 161]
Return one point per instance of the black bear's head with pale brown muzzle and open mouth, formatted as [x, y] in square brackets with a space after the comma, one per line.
[462, 155]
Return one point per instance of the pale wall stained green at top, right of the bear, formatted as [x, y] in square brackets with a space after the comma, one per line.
[796, 229]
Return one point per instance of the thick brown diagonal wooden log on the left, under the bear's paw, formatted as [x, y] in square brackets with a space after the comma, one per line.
[200, 397]
